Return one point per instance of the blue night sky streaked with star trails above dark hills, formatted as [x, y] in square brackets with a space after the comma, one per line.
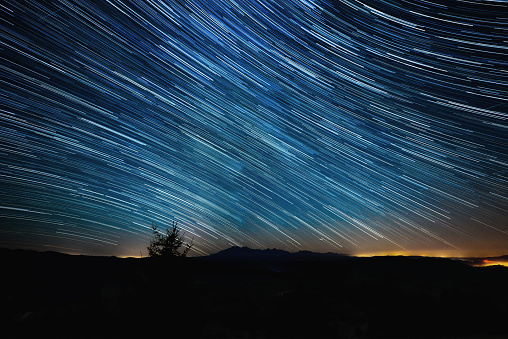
[359, 127]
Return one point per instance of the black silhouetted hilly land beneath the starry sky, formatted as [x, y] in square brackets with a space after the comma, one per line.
[242, 293]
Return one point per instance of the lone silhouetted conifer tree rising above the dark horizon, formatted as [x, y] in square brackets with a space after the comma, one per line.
[169, 244]
